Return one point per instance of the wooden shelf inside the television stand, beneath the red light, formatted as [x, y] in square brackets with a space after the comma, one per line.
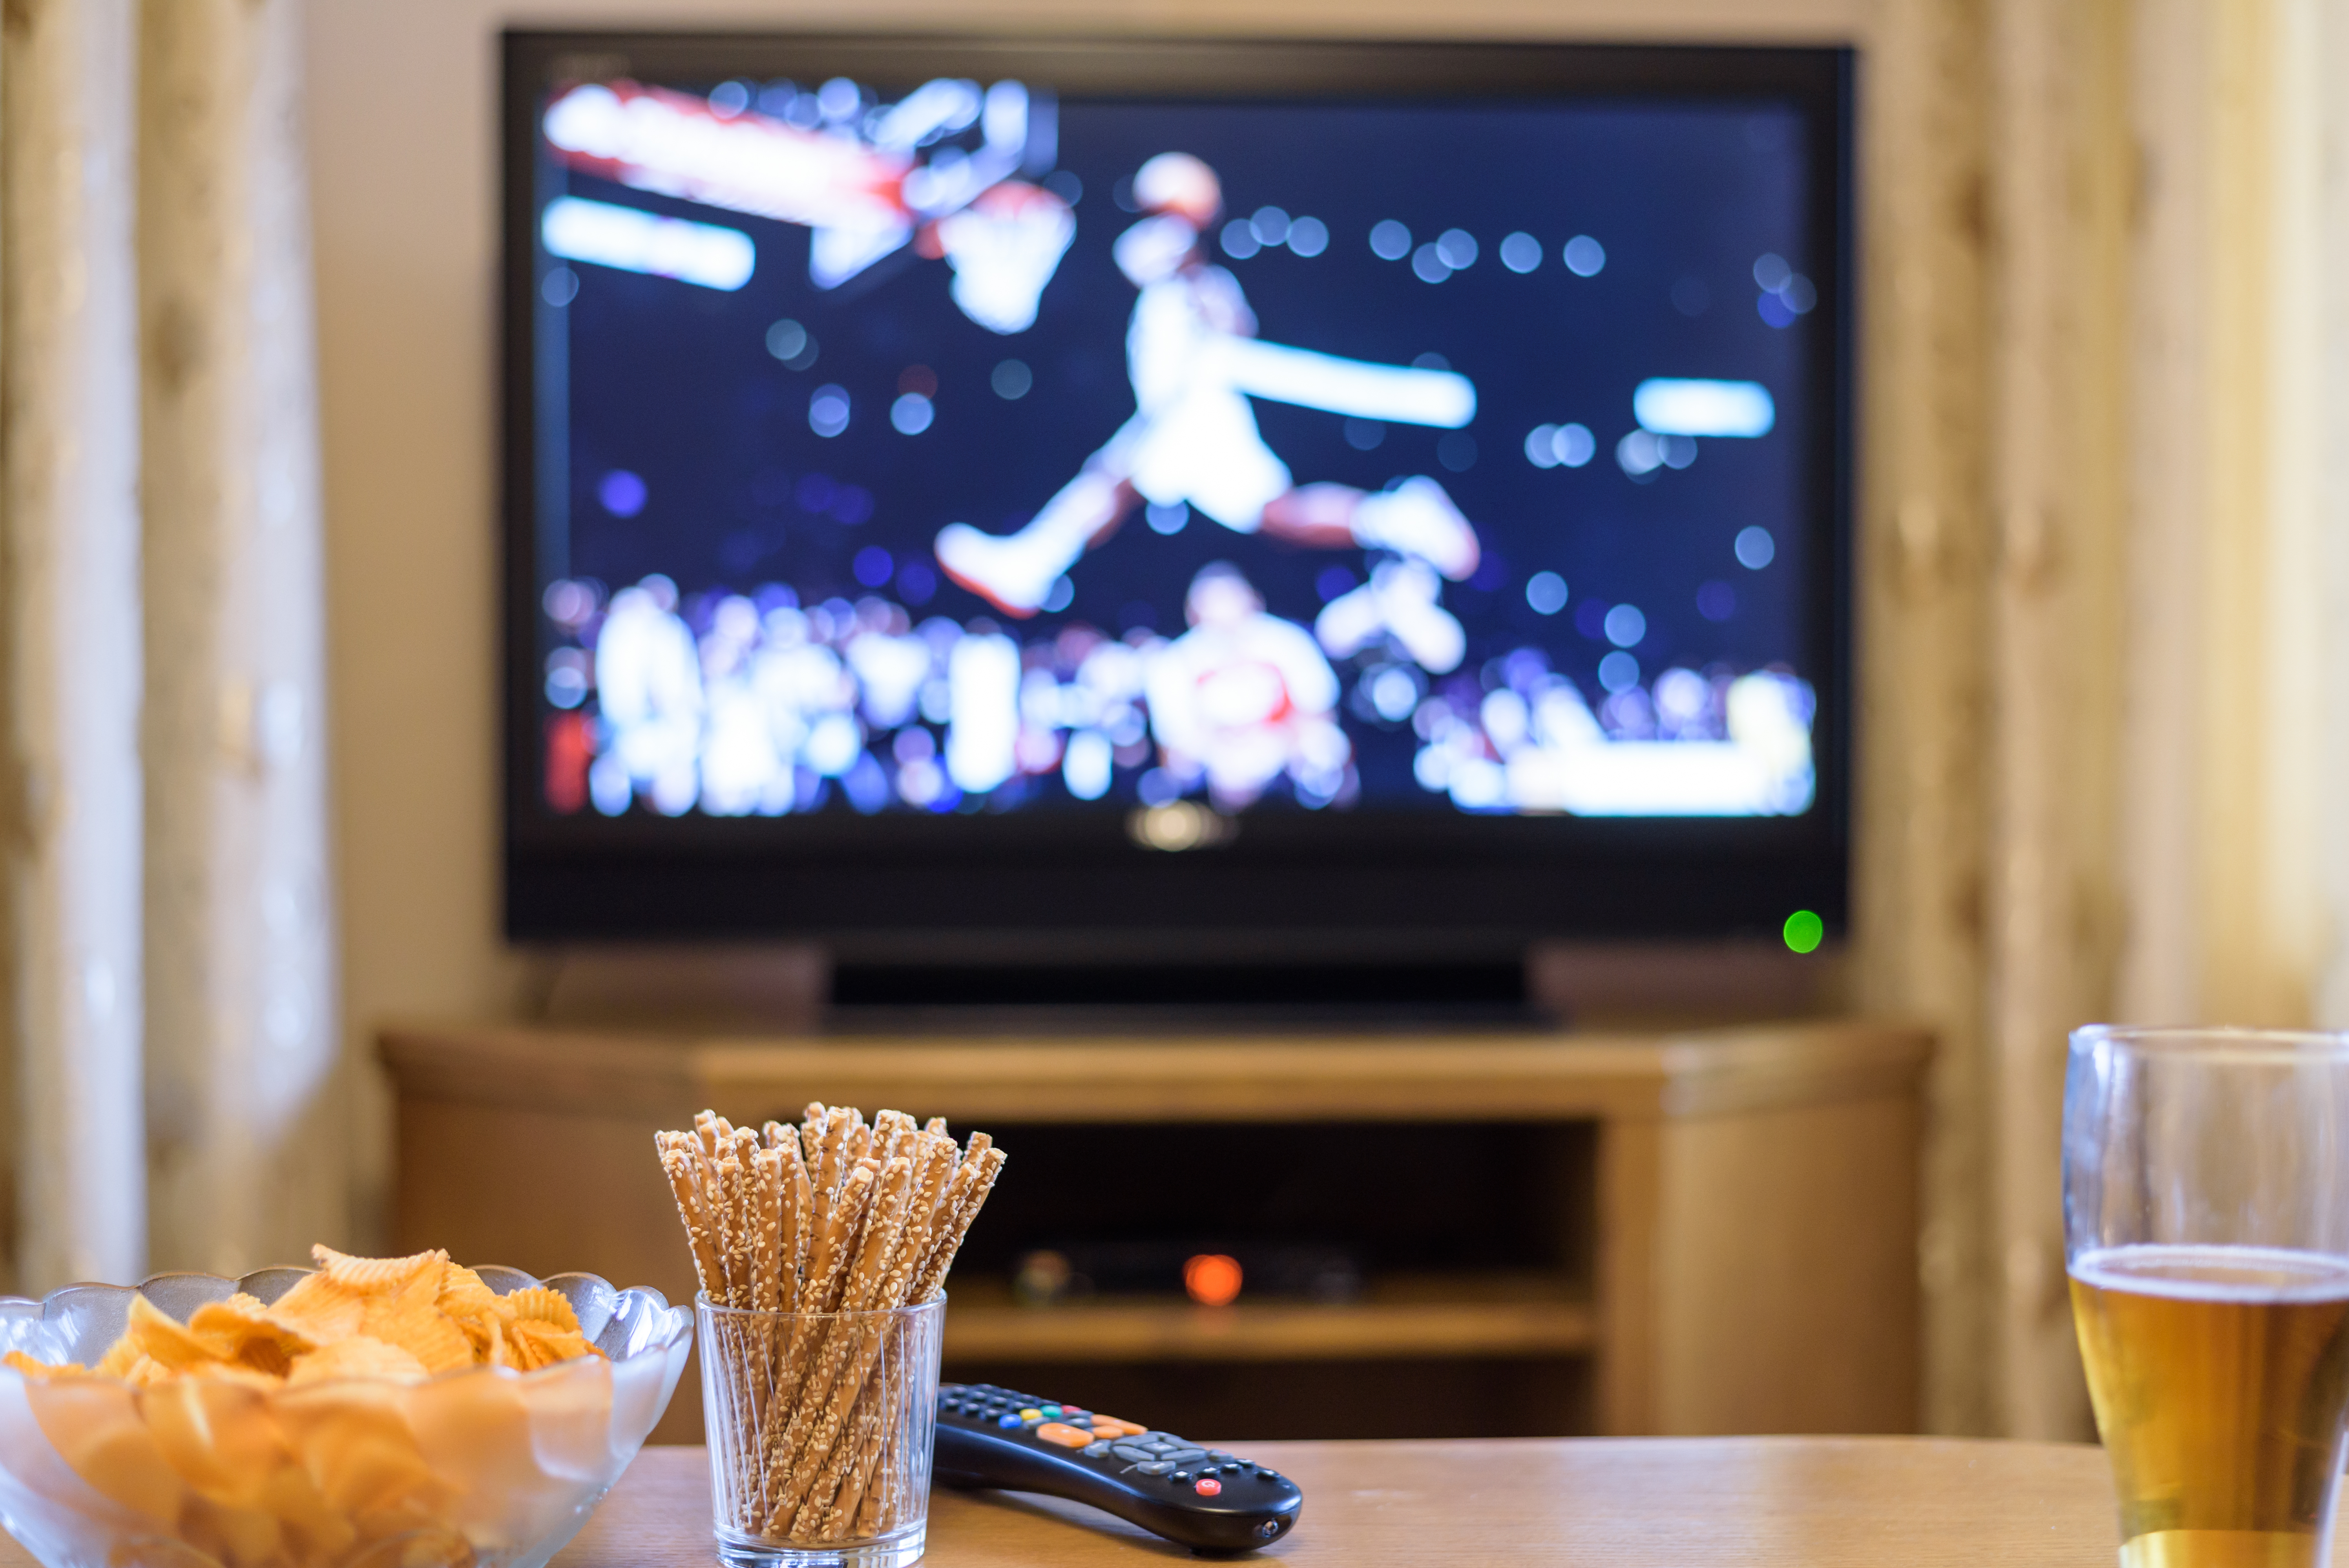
[1404, 1318]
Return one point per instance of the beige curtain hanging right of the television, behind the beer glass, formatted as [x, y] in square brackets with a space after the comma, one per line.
[2104, 567]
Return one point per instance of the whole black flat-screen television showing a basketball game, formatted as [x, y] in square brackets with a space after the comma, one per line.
[1166, 496]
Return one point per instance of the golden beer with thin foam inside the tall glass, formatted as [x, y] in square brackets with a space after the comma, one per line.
[2221, 1381]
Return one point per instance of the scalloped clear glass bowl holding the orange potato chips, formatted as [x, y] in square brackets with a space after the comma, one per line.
[478, 1468]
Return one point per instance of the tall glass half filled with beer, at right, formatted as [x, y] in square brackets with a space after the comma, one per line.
[2207, 1234]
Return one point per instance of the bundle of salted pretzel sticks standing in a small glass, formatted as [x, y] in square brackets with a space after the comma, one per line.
[816, 1222]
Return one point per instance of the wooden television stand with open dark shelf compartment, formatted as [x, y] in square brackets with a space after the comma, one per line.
[1629, 1234]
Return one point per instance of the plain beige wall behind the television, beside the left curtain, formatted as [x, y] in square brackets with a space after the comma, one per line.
[403, 135]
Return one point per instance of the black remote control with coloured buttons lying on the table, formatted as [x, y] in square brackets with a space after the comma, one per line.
[1202, 1499]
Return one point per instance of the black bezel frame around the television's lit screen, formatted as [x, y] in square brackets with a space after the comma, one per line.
[1072, 881]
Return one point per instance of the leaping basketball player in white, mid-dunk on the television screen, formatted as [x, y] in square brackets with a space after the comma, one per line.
[1194, 440]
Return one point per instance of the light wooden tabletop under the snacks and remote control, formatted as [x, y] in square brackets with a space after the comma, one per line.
[1617, 1503]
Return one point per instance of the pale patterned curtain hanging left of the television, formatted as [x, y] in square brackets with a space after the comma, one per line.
[170, 968]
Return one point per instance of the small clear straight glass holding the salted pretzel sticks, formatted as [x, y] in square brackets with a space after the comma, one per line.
[821, 1435]
